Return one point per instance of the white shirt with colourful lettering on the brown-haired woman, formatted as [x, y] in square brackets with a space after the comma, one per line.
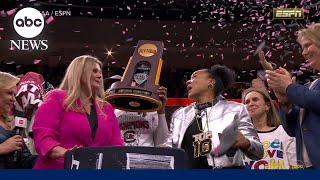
[279, 151]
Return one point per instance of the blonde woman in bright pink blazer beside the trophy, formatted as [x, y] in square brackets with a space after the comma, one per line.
[75, 115]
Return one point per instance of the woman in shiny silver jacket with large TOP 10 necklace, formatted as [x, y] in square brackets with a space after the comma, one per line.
[214, 133]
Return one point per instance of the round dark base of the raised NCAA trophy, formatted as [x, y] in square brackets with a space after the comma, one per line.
[134, 102]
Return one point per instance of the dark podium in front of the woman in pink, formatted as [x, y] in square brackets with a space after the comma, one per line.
[126, 157]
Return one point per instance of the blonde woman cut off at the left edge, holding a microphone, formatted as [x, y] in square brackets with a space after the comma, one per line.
[13, 151]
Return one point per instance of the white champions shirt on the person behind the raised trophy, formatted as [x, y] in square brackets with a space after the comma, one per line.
[142, 129]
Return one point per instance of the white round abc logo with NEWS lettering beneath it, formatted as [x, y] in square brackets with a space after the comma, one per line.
[28, 23]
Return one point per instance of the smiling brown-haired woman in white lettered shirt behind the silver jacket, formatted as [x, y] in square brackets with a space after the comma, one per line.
[279, 147]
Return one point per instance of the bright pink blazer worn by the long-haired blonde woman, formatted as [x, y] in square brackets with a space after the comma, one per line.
[54, 126]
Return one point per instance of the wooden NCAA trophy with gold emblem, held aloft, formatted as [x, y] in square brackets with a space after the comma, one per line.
[137, 90]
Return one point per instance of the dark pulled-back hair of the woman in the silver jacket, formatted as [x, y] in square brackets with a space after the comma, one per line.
[223, 76]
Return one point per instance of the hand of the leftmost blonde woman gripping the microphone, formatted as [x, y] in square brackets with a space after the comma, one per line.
[14, 143]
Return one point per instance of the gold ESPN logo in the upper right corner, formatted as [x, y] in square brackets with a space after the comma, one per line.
[288, 13]
